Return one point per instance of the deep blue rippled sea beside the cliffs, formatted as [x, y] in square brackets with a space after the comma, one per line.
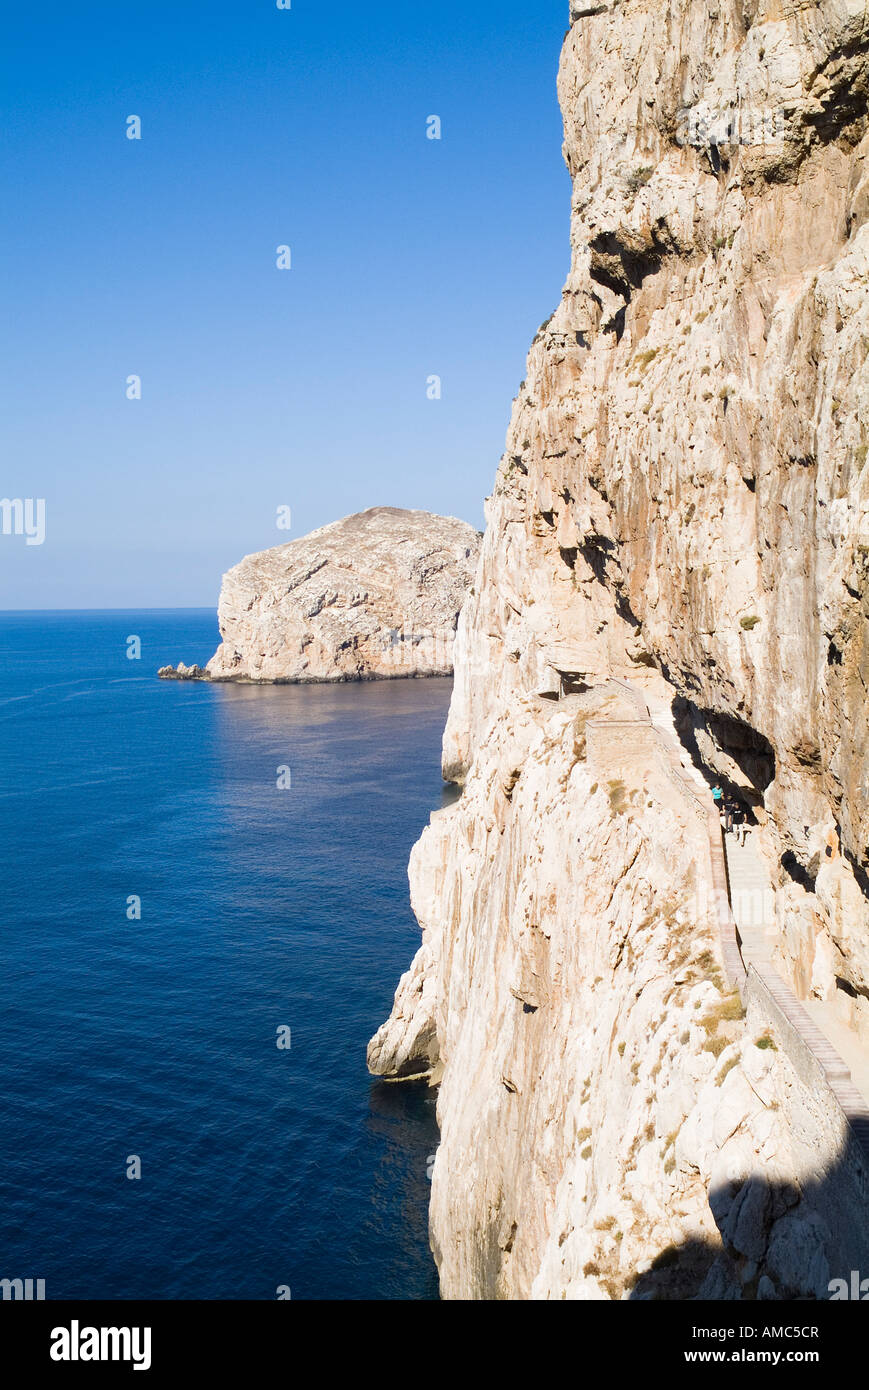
[156, 1038]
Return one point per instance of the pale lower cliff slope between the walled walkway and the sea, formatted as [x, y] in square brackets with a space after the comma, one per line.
[610, 1128]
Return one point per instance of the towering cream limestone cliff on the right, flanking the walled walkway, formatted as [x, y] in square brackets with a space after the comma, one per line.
[683, 502]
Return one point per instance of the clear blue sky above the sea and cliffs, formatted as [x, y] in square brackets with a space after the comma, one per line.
[156, 258]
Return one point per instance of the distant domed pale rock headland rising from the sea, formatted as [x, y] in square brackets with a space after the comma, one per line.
[372, 597]
